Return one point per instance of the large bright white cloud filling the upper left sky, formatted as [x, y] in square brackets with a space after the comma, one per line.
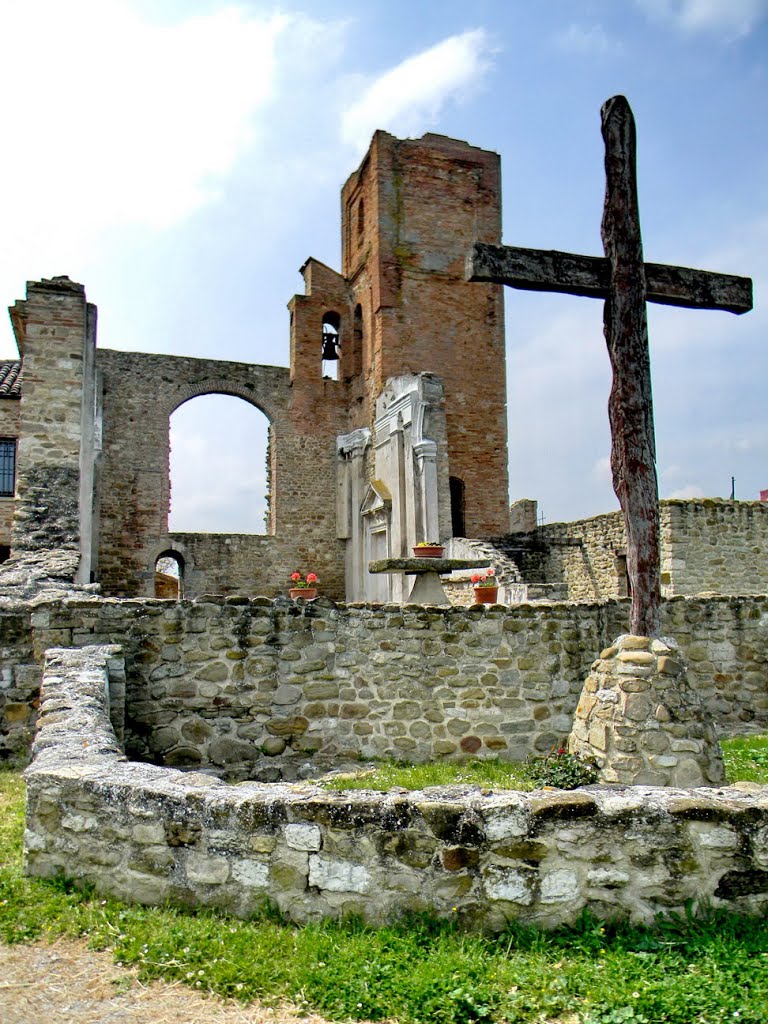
[116, 120]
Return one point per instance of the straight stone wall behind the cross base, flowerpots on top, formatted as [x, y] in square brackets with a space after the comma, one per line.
[263, 689]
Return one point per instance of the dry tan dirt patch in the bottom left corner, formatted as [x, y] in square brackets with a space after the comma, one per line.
[68, 984]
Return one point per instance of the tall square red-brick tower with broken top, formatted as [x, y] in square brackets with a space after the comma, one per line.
[410, 216]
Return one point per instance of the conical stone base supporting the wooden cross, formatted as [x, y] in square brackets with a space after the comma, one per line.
[642, 722]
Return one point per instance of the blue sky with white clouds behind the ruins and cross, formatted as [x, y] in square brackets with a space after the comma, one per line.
[183, 159]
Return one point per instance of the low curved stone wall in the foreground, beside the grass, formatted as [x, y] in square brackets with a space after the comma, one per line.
[155, 835]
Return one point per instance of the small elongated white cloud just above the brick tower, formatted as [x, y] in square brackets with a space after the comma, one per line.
[409, 98]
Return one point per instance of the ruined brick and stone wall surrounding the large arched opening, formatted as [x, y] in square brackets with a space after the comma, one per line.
[141, 394]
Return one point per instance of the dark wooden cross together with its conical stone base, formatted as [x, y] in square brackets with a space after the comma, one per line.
[636, 699]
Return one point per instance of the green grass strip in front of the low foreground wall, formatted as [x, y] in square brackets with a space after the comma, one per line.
[687, 971]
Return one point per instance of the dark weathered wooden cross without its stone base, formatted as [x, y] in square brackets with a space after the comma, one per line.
[626, 282]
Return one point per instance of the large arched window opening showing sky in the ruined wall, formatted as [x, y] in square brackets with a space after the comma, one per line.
[220, 476]
